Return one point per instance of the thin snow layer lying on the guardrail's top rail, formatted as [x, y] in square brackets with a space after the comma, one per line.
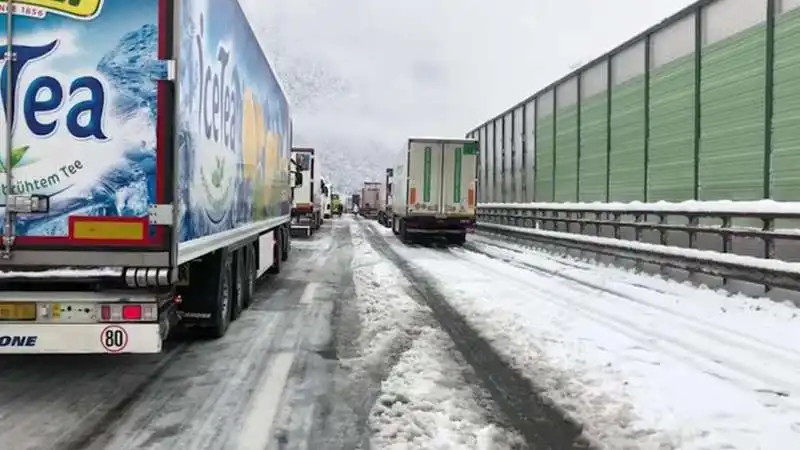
[719, 206]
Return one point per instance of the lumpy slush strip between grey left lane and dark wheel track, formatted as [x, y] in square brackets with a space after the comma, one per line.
[424, 401]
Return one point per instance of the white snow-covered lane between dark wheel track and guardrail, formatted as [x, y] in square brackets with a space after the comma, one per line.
[642, 362]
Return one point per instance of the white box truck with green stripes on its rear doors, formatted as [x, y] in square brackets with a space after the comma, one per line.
[435, 189]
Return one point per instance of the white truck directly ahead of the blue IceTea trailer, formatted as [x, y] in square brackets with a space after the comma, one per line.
[307, 202]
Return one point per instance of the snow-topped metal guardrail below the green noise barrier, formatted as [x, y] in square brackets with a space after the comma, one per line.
[757, 242]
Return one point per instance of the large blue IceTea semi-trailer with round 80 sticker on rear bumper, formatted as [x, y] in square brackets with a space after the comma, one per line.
[151, 199]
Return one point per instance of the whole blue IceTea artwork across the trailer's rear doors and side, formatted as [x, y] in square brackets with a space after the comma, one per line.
[84, 114]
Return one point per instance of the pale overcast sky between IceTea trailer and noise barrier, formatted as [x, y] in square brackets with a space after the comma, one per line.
[366, 74]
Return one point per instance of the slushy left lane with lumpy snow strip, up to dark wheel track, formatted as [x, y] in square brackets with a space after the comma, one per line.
[334, 354]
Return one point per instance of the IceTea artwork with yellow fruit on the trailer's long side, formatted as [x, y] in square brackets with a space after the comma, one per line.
[233, 125]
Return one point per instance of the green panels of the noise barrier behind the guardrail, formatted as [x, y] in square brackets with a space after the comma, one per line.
[726, 129]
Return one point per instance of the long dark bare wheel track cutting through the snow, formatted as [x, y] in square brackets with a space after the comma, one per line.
[541, 423]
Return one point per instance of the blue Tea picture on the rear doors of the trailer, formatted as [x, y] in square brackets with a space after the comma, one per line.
[82, 109]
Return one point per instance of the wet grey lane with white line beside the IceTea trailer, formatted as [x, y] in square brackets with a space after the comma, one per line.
[272, 367]
